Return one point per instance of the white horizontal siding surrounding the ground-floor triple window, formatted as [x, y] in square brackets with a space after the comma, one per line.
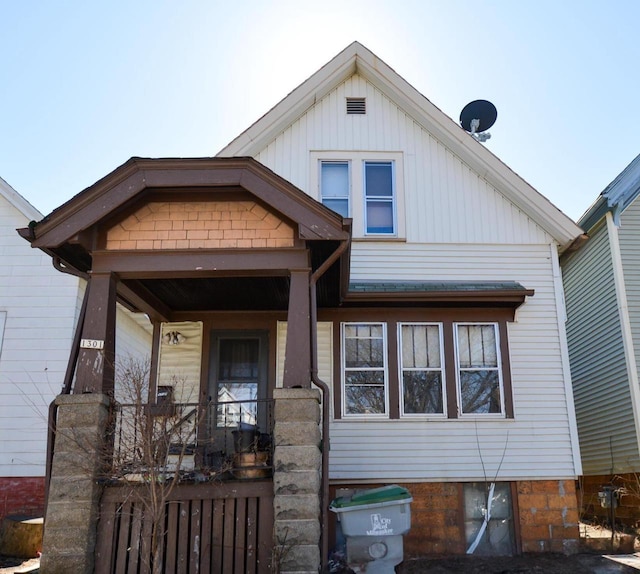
[538, 441]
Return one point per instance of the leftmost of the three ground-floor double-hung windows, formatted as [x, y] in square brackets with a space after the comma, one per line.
[364, 369]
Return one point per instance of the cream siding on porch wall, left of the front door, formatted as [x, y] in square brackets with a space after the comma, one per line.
[180, 365]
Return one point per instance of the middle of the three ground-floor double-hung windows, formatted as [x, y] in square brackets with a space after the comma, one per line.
[422, 369]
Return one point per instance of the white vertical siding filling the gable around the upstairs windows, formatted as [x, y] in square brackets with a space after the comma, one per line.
[445, 201]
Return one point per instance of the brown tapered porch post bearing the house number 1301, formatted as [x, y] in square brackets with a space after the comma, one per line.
[95, 371]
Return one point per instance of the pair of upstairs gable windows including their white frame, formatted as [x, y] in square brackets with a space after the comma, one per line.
[366, 186]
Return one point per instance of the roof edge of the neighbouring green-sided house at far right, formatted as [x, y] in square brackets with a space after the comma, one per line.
[616, 197]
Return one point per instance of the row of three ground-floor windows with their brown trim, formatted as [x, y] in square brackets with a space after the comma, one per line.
[430, 369]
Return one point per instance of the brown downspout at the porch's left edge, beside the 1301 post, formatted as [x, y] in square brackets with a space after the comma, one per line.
[68, 377]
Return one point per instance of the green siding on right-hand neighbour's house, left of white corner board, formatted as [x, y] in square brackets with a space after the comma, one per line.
[608, 441]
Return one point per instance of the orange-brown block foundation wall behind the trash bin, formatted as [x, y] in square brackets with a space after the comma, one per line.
[545, 517]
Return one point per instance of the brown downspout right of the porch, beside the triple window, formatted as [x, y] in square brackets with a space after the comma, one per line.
[324, 389]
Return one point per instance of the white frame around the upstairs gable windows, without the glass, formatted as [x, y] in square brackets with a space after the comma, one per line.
[357, 205]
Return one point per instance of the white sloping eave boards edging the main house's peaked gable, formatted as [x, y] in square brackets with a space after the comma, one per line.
[356, 59]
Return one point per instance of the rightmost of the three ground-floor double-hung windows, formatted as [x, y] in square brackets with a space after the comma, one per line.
[478, 368]
